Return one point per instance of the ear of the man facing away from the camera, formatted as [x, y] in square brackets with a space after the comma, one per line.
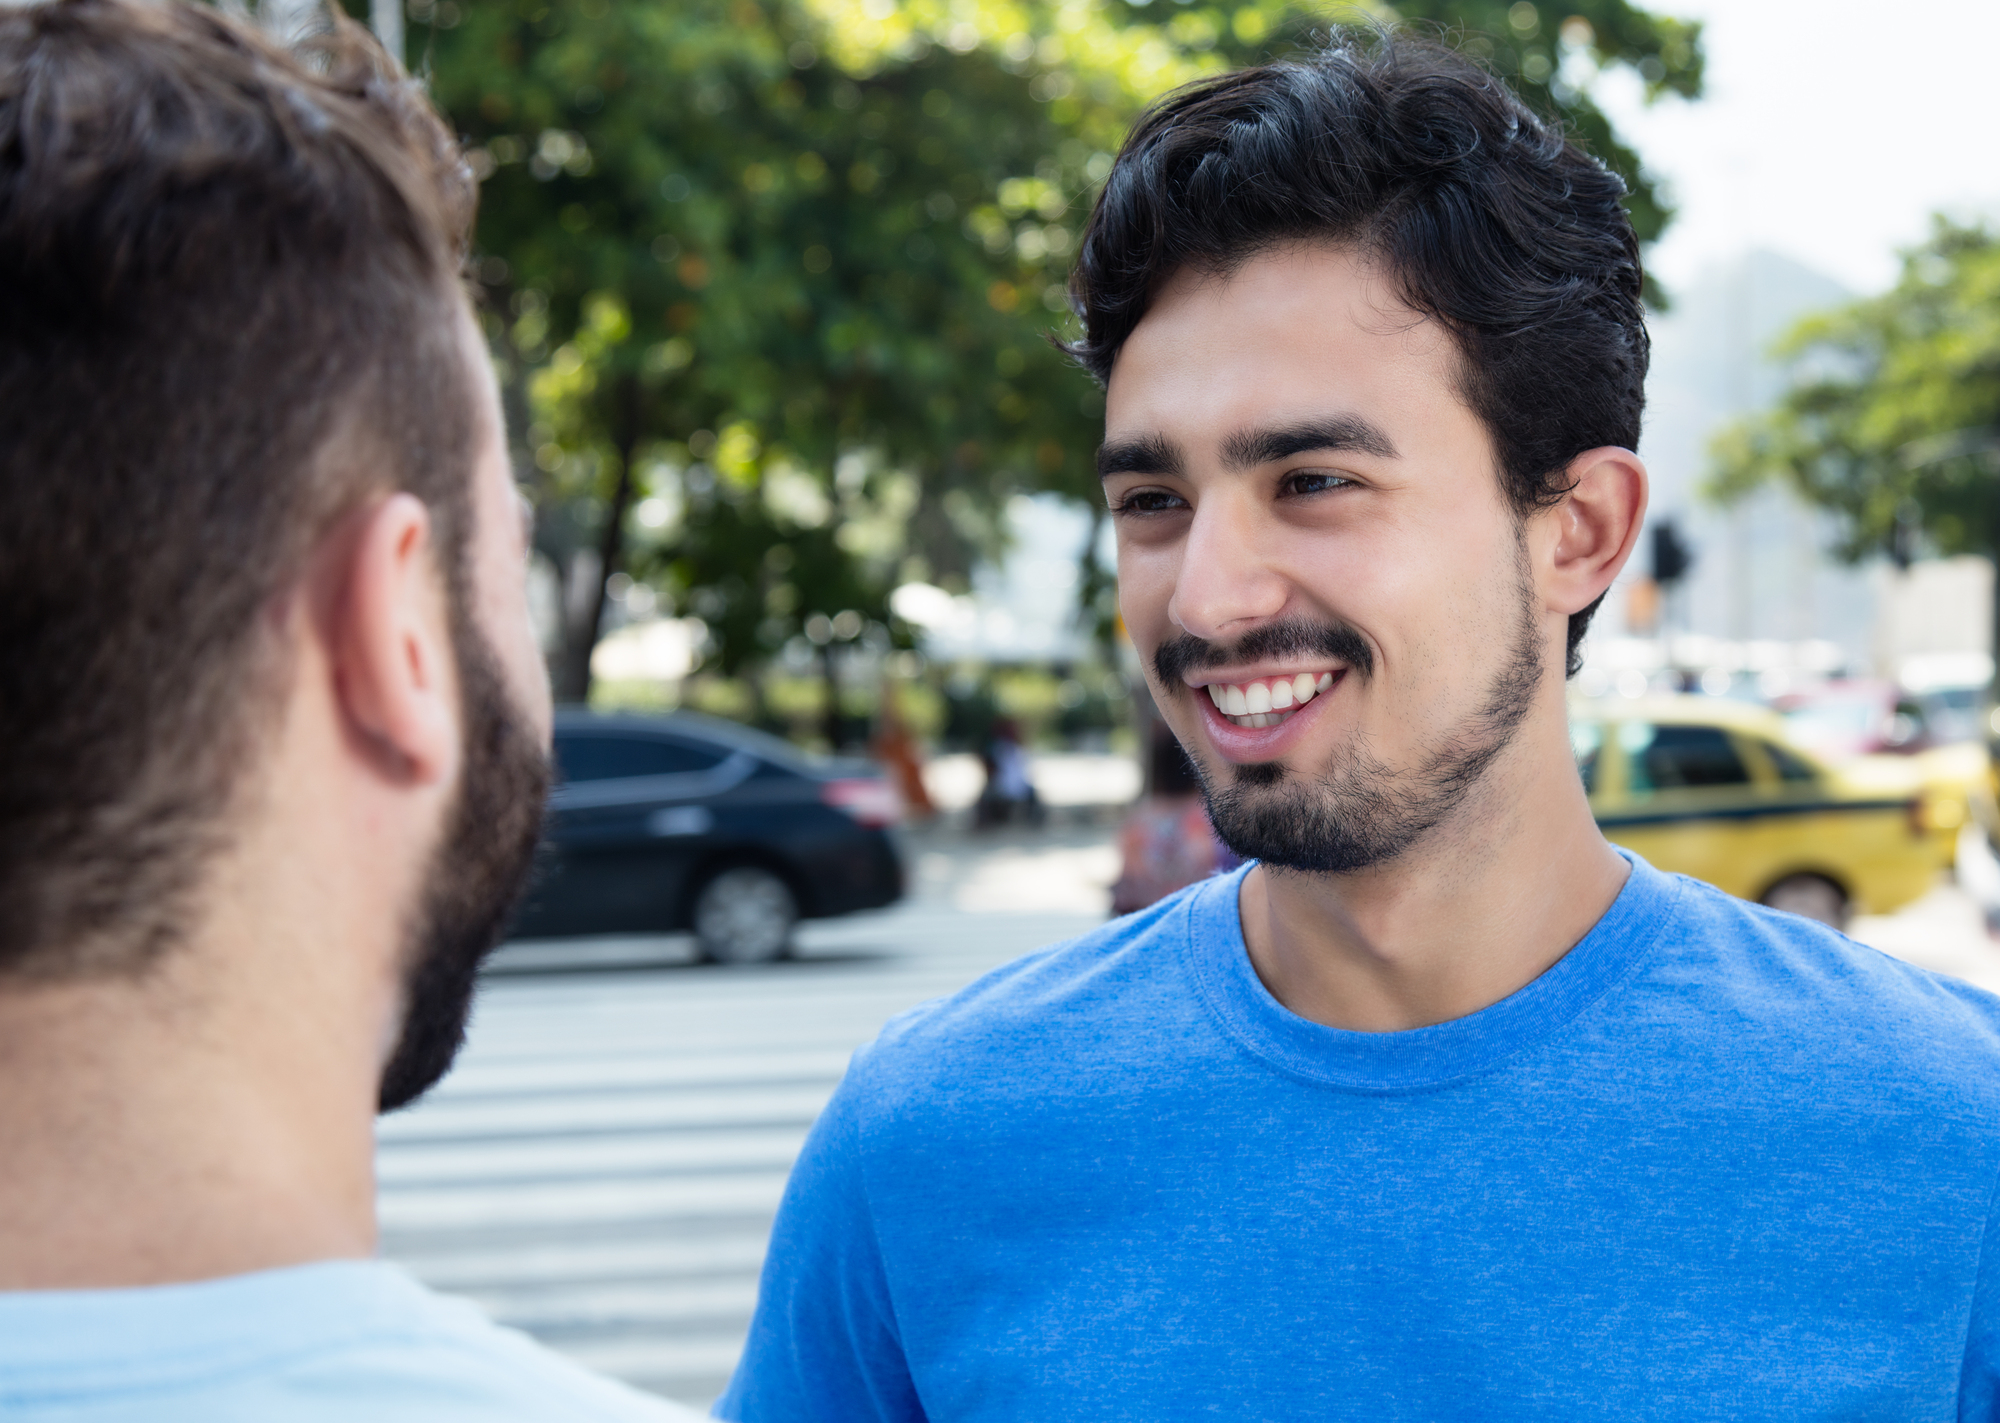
[389, 639]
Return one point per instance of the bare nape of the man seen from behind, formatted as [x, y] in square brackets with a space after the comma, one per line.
[157, 1134]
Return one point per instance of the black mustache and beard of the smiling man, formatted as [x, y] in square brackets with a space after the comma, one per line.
[1357, 812]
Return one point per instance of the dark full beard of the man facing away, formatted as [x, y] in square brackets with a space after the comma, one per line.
[477, 872]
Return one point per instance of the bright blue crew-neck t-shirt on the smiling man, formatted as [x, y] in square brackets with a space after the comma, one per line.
[1715, 1164]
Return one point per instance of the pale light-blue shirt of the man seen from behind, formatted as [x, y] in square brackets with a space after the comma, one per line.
[341, 1342]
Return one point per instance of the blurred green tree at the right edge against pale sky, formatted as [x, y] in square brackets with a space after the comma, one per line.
[1893, 413]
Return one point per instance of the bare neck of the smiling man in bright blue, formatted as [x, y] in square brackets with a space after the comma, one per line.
[1483, 906]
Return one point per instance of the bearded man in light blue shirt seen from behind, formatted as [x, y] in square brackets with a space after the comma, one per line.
[273, 724]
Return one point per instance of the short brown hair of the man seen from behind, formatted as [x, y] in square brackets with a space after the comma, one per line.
[231, 315]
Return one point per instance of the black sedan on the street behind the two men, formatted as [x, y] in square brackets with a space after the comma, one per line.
[685, 822]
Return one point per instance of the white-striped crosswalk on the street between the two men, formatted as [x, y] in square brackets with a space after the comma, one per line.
[603, 1166]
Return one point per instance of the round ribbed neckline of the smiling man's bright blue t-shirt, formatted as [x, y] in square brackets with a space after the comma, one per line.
[1421, 1056]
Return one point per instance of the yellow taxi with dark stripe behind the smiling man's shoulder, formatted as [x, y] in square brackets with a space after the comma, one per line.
[1715, 790]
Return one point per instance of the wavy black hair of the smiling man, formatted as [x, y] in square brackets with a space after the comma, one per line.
[1489, 219]
